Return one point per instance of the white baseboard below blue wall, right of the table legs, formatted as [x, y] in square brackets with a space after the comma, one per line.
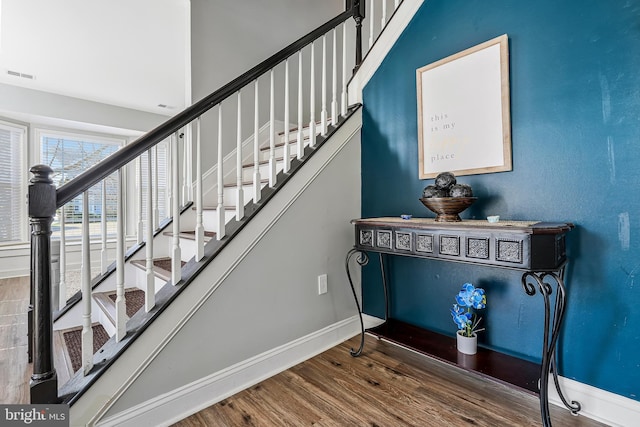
[600, 405]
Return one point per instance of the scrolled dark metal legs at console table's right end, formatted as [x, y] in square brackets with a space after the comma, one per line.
[549, 340]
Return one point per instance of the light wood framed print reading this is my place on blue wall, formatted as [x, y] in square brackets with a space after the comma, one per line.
[464, 123]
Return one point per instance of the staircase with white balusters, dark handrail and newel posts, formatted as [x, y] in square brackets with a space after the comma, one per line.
[233, 204]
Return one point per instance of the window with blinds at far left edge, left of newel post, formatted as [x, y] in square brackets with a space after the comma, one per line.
[13, 182]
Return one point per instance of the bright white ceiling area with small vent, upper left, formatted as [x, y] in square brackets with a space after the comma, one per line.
[129, 53]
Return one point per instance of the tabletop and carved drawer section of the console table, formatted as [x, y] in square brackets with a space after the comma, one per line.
[521, 245]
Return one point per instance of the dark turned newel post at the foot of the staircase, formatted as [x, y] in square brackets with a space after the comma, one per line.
[42, 208]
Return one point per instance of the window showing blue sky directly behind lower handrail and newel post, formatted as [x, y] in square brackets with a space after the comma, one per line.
[69, 155]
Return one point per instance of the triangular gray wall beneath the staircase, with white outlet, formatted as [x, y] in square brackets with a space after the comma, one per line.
[271, 297]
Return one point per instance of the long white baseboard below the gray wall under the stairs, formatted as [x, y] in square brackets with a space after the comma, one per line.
[179, 404]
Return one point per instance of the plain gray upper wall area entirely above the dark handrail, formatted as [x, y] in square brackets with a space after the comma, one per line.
[229, 39]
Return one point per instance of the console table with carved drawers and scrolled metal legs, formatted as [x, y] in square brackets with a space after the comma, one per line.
[535, 248]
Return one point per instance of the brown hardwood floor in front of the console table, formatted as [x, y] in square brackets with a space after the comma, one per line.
[386, 386]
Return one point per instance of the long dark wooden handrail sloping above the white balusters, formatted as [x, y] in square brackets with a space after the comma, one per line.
[95, 174]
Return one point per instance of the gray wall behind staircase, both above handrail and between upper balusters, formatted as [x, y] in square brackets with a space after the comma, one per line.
[231, 38]
